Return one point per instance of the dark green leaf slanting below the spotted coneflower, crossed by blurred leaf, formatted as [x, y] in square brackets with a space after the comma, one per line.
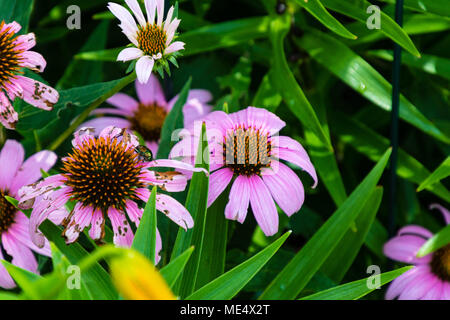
[96, 278]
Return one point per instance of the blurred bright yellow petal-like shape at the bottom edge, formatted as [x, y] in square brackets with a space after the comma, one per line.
[137, 279]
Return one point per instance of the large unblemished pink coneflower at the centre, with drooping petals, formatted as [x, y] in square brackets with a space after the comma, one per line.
[244, 147]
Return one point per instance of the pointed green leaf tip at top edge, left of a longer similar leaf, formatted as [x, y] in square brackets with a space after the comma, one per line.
[316, 8]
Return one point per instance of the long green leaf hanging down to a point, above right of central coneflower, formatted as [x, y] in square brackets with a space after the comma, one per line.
[283, 80]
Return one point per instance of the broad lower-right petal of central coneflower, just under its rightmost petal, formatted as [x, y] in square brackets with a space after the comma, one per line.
[285, 187]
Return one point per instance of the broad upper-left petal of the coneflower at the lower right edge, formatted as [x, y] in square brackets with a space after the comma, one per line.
[404, 249]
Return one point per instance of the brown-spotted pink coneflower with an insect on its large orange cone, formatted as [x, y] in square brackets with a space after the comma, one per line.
[105, 177]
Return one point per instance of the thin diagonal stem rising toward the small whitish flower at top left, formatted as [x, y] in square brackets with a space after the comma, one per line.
[82, 117]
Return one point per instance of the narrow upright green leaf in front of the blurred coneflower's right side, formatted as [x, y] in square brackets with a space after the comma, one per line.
[173, 121]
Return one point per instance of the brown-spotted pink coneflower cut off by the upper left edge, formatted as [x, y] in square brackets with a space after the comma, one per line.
[14, 55]
